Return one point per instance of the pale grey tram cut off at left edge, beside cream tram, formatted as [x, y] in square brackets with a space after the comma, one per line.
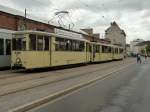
[5, 48]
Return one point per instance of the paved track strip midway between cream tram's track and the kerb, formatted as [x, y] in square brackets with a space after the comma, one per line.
[48, 80]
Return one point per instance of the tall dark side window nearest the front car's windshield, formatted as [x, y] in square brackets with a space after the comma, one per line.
[32, 42]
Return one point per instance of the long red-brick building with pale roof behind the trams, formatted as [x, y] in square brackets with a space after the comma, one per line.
[14, 20]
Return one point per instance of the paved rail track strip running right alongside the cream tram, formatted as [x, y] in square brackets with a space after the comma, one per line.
[17, 77]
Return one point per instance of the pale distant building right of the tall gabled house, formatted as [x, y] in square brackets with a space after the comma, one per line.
[133, 46]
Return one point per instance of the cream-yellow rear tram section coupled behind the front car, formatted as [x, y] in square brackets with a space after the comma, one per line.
[105, 52]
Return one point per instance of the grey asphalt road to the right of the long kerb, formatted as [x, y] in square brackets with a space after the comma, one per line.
[126, 90]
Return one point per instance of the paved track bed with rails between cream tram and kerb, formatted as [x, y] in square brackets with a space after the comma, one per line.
[49, 86]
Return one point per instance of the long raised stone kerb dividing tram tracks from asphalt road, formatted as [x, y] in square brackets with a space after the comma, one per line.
[58, 95]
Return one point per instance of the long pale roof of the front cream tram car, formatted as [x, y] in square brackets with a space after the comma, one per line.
[49, 34]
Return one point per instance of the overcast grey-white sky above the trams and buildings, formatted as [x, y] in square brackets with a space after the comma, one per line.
[131, 15]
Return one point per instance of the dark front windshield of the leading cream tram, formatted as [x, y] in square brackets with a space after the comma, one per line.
[19, 43]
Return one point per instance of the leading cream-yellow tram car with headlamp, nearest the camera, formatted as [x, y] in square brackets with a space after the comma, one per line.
[36, 49]
